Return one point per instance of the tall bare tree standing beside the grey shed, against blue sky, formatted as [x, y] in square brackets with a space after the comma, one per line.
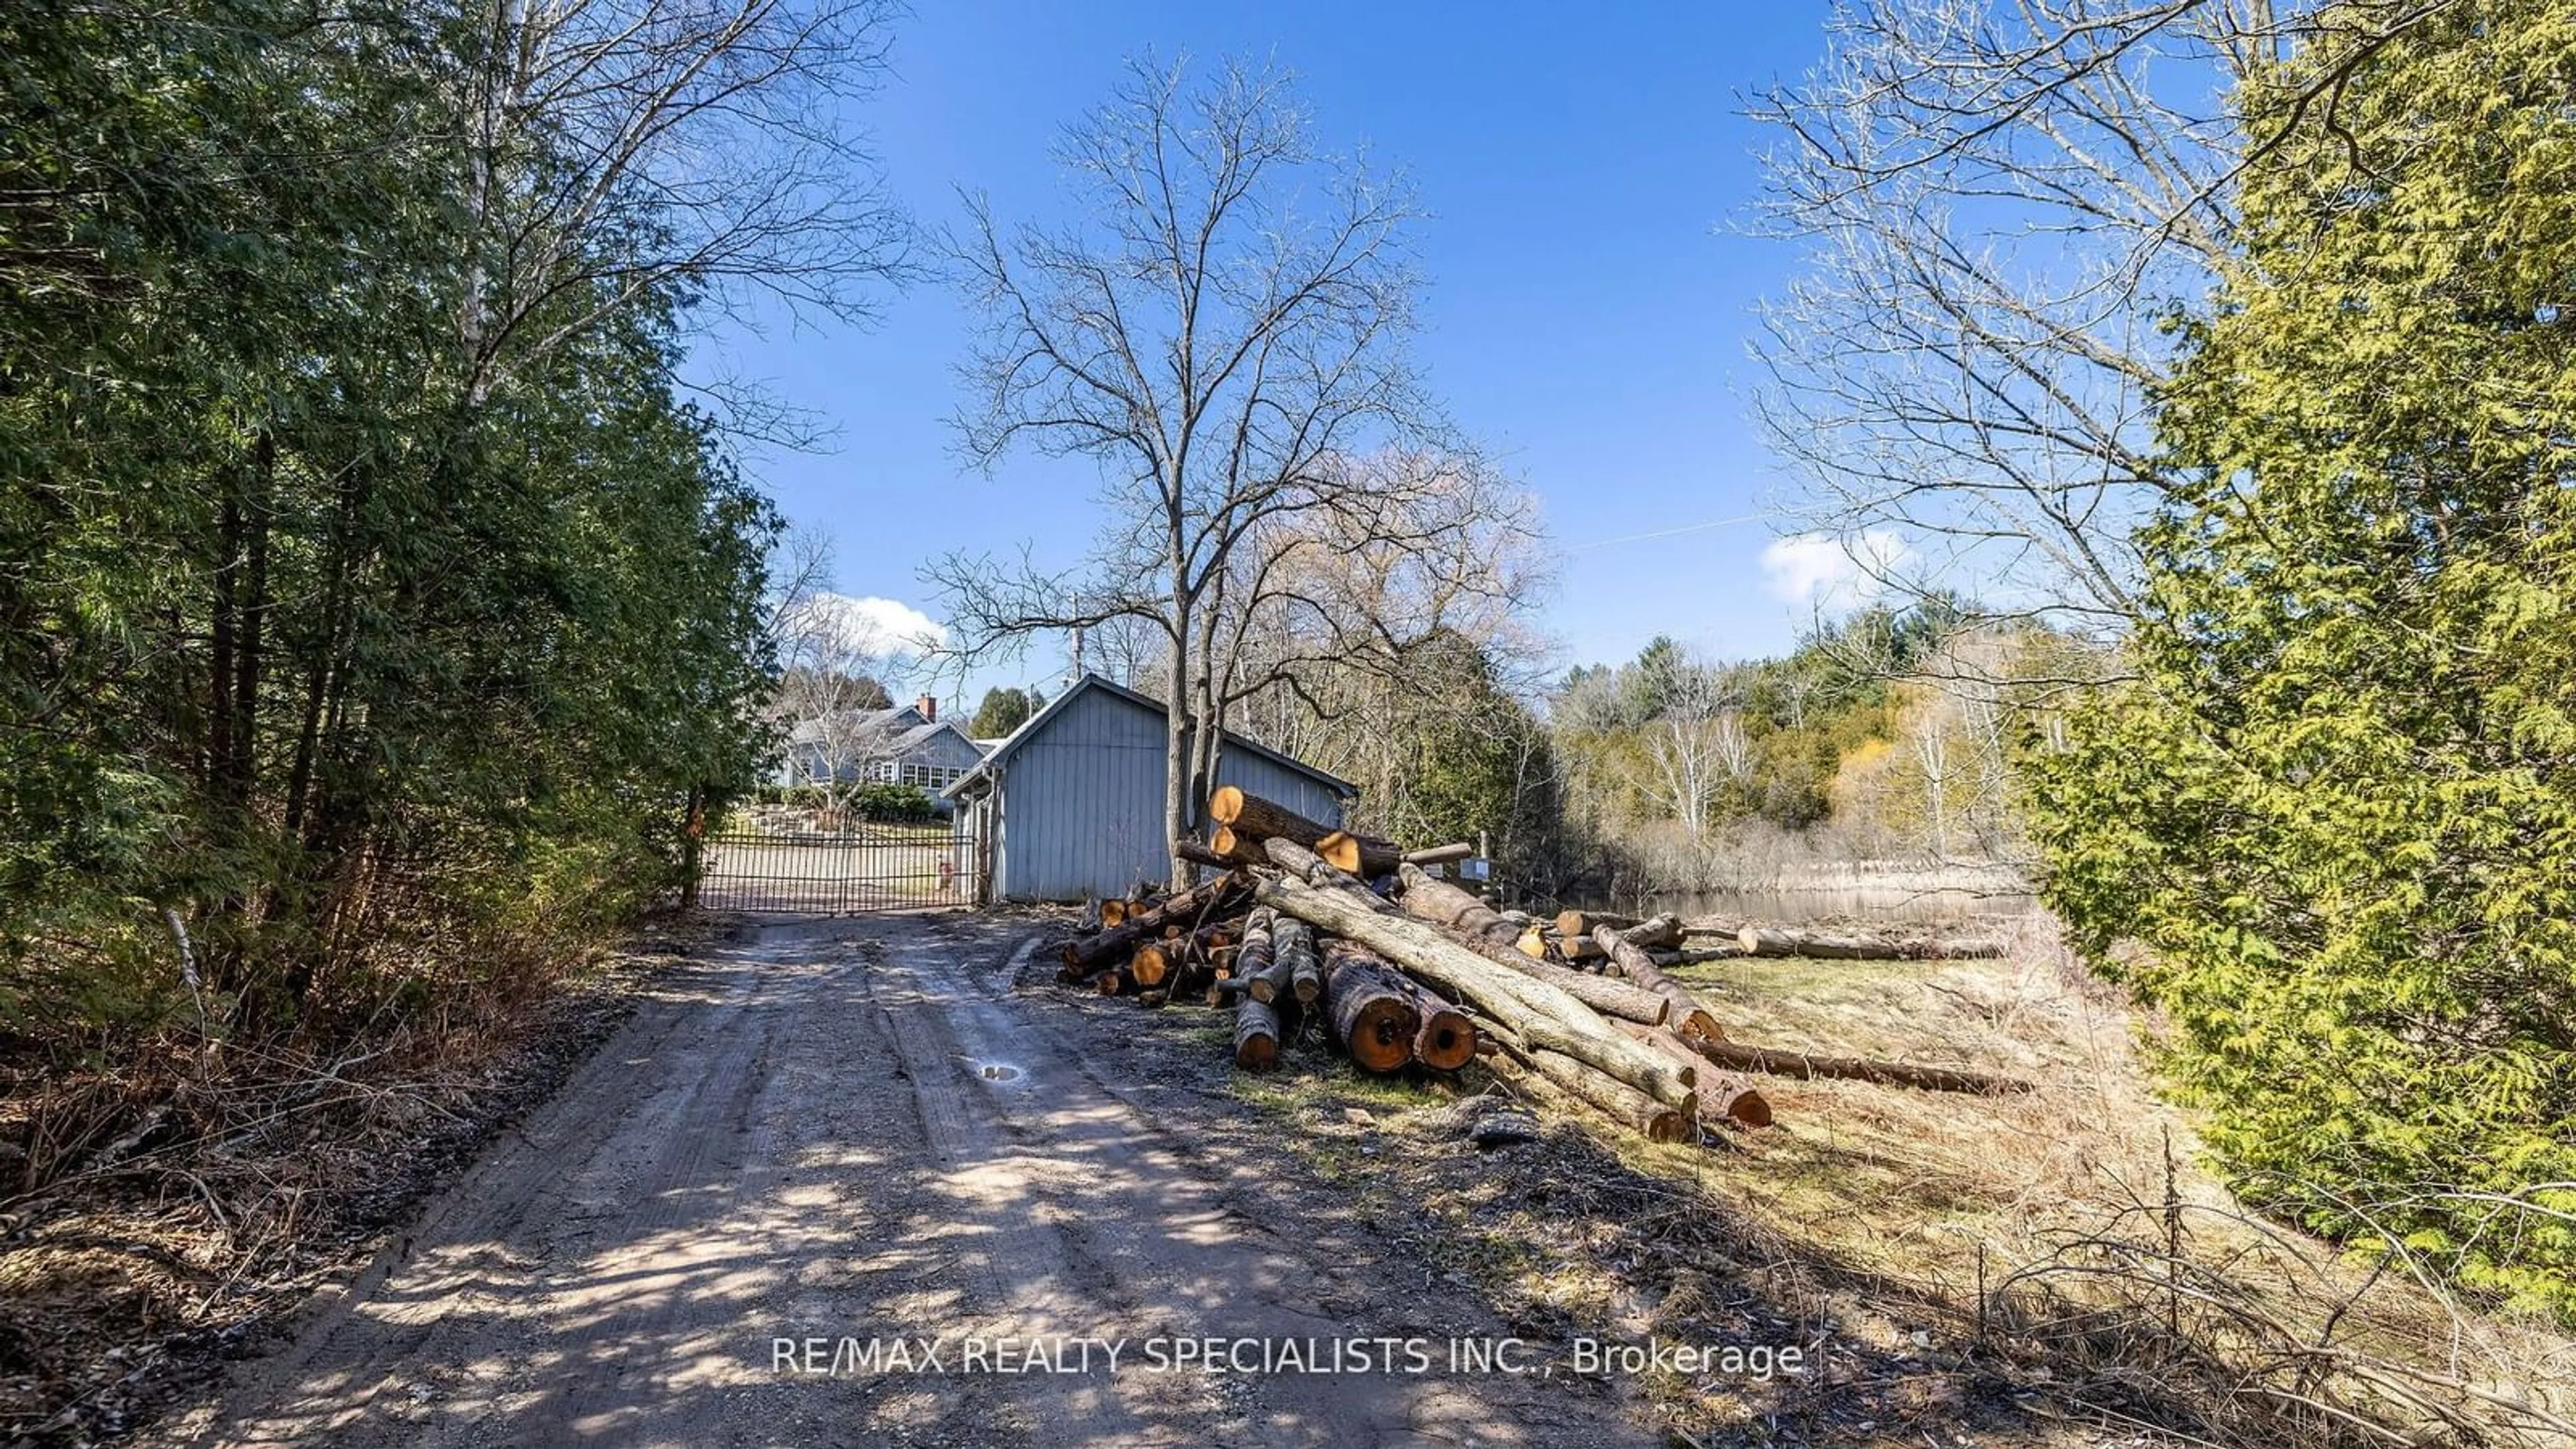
[1222, 342]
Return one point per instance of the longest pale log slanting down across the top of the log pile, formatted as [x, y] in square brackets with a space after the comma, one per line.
[1537, 1009]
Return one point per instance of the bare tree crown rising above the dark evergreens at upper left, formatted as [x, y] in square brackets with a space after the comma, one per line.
[710, 141]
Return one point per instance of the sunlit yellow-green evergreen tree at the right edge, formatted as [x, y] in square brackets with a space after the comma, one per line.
[2338, 806]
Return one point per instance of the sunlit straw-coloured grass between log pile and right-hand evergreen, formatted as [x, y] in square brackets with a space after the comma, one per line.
[2070, 1234]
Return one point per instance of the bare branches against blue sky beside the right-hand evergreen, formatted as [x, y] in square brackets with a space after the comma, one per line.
[2003, 202]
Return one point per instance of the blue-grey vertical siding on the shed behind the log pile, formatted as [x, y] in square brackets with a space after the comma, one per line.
[1083, 801]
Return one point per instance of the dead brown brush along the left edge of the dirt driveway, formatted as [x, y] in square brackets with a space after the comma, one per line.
[164, 1208]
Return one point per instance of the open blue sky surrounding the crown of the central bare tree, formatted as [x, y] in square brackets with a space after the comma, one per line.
[1591, 293]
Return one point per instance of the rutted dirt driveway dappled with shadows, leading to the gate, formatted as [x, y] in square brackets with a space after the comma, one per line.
[882, 1131]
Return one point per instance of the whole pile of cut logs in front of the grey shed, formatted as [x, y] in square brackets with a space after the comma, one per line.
[1356, 940]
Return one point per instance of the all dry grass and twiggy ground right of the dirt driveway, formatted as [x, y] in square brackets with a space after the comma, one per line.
[2041, 1270]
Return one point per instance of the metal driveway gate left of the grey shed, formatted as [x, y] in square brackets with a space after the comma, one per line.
[792, 865]
